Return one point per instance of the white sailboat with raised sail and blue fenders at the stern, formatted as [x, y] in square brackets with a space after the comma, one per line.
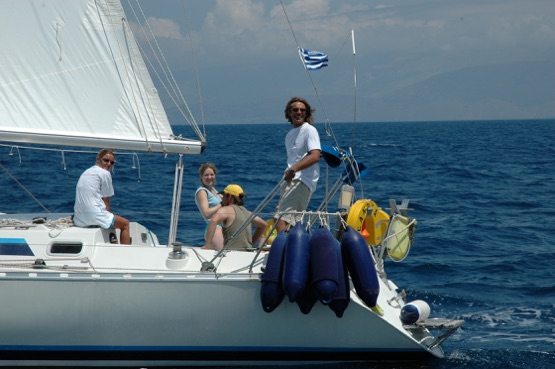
[76, 77]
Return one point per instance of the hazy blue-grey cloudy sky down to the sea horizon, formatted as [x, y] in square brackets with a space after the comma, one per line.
[236, 61]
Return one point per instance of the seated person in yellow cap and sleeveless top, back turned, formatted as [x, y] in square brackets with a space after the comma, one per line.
[231, 216]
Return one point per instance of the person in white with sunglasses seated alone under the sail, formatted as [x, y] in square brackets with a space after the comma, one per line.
[92, 197]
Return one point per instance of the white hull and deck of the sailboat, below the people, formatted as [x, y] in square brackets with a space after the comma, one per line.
[91, 308]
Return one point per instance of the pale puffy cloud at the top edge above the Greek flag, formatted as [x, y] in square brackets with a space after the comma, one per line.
[245, 28]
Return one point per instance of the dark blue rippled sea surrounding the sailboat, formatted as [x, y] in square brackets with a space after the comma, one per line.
[483, 193]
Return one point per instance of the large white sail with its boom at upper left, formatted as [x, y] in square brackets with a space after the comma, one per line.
[71, 74]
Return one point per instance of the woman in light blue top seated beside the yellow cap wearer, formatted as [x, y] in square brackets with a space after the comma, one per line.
[208, 201]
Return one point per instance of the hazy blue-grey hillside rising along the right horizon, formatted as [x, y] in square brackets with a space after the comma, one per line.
[524, 90]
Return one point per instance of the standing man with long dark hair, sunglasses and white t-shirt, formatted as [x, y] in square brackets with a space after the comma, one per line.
[303, 148]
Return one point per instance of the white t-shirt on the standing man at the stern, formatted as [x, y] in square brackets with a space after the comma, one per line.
[298, 142]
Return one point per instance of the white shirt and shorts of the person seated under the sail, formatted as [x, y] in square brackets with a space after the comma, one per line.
[94, 184]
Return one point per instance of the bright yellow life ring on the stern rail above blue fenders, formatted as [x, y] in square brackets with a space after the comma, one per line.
[369, 220]
